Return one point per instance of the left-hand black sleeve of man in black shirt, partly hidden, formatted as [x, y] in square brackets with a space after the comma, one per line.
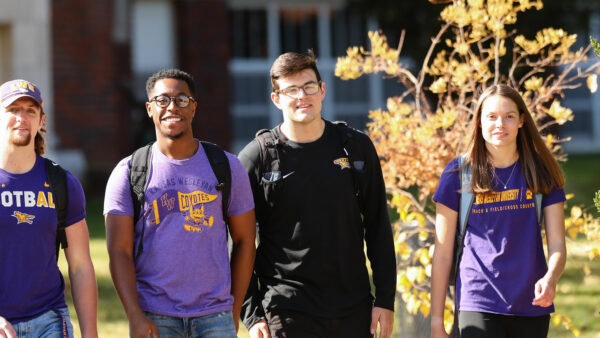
[252, 309]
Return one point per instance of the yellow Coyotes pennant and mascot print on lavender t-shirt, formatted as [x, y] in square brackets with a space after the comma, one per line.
[192, 205]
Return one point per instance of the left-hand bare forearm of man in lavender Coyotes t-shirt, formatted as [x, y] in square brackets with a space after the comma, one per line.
[122, 271]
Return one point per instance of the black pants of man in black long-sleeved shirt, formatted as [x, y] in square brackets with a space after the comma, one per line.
[293, 324]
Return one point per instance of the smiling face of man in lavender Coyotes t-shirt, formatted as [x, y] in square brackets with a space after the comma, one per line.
[171, 122]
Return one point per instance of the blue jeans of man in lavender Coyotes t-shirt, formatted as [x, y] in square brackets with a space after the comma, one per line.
[216, 325]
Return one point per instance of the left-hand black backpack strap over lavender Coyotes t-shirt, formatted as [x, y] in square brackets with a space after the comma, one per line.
[139, 169]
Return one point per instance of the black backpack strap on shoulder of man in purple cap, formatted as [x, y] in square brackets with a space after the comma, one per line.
[57, 179]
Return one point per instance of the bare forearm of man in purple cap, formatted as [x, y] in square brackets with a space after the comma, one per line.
[85, 298]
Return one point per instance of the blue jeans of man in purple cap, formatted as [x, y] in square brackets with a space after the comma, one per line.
[52, 324]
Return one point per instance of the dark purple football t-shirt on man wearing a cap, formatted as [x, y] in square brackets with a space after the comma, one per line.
[30, 282]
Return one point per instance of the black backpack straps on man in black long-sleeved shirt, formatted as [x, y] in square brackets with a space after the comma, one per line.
[269, 145]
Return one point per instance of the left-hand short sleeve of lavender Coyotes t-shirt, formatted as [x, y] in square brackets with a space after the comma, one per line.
[117, 198]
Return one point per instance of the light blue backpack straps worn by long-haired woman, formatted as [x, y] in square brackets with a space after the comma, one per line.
[466, 203]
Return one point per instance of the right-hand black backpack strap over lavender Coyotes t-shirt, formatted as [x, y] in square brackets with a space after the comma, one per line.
[220, 167]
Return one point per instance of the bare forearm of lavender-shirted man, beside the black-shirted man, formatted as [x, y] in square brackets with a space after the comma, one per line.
[242, 265]
